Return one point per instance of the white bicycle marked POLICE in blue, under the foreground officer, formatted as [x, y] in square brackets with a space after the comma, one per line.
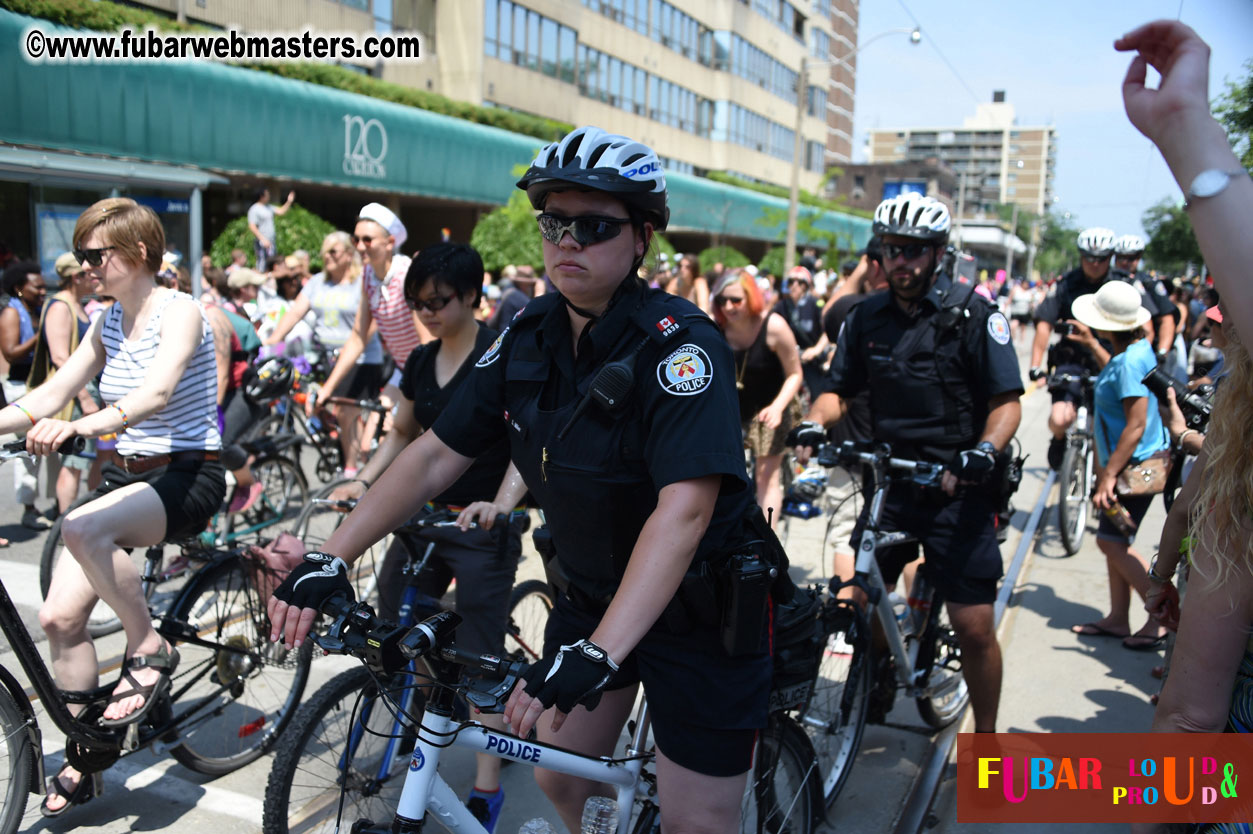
[348, 768]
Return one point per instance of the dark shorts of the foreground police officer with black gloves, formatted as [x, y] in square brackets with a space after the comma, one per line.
[706, 706]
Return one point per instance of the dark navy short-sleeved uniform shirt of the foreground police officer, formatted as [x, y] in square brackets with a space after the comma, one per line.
[598, 483]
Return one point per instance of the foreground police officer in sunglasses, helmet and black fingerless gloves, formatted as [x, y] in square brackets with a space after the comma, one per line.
[641, 476]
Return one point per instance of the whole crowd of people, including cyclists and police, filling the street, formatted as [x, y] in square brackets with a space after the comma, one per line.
[494, 383]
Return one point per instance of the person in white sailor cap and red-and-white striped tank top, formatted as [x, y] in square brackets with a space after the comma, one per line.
[379, 235]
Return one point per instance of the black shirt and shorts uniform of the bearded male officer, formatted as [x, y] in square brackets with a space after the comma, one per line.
[930, 379]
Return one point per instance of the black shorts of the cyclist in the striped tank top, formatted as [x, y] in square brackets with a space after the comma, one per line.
[191, 492]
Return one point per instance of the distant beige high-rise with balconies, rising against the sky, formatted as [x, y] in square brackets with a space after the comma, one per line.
[997, 160]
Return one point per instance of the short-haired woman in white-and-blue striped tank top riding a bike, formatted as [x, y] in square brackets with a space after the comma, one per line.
[155, 354]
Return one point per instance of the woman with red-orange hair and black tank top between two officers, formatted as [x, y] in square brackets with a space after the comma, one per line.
[767, 375]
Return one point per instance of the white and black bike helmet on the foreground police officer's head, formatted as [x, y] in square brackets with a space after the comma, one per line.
[602, 162]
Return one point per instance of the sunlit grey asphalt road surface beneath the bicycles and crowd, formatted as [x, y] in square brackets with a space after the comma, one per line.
[1054, 683]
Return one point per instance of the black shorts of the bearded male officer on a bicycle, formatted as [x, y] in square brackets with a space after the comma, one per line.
[958, 537]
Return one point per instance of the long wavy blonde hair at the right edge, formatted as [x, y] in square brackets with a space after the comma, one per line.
[1224, 510]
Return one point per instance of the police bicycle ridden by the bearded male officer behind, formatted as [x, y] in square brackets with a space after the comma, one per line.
[855, 687]
